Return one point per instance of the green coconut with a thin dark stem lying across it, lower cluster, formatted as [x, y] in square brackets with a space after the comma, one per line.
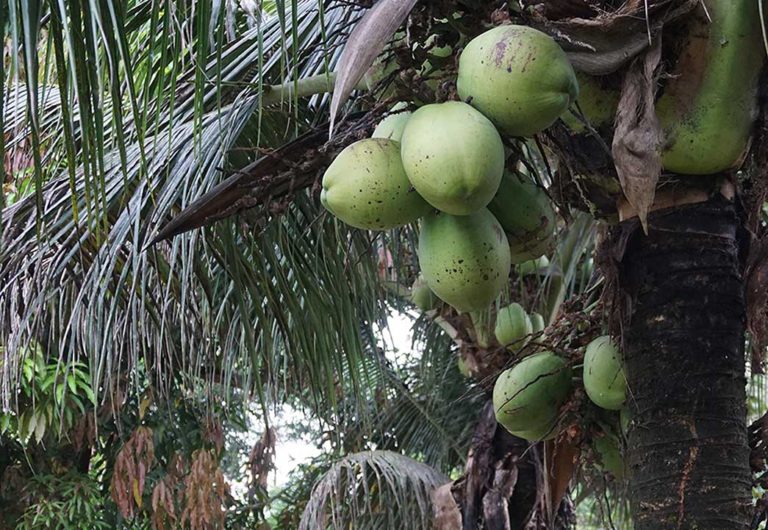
[528, 396]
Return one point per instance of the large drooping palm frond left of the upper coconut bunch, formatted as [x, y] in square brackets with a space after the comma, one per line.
[246, 305]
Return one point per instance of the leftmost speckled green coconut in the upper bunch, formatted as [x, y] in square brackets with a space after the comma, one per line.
[366, 187]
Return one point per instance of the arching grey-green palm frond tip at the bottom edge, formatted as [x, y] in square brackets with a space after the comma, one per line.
[376, 489]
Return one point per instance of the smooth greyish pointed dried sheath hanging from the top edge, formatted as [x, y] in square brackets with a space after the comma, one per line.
[365, 43]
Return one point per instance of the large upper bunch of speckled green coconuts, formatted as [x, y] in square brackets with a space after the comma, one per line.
[445, 165]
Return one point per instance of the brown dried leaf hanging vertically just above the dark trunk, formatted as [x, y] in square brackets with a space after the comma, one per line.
[638, 136]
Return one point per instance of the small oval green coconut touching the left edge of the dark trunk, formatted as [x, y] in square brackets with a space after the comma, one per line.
[604, 378]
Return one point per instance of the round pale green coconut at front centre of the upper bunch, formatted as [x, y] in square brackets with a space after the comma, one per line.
[453, 156]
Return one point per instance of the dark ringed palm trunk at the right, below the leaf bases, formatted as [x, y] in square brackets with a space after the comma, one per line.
[683, 334]
